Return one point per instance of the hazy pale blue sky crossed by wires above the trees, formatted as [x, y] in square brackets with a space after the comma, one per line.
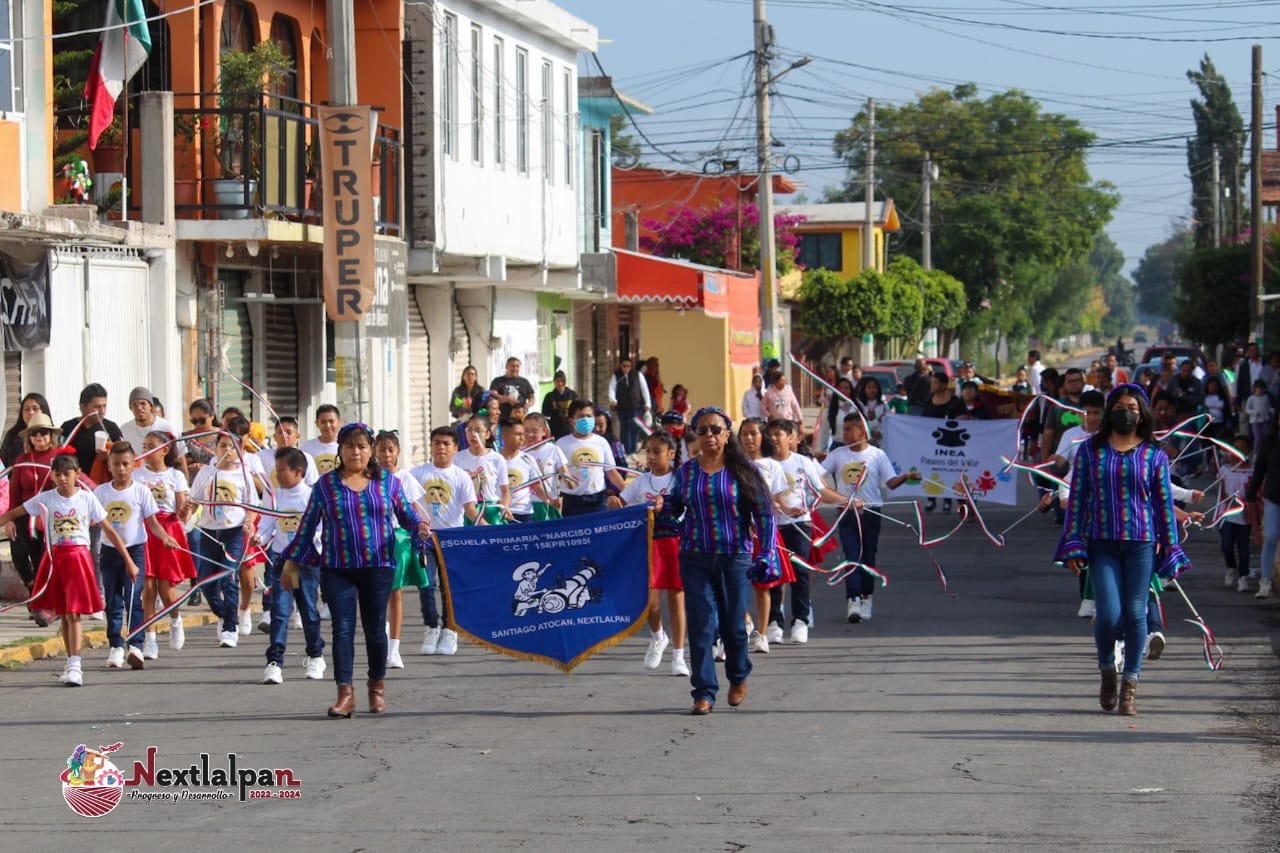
[1117, 66]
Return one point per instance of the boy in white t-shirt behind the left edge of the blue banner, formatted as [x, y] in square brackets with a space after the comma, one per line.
[451, 498]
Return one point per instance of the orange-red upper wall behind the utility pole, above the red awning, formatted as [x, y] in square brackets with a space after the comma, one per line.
[655, 194]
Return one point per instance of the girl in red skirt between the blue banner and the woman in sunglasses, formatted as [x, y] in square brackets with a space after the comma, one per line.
[662, 453]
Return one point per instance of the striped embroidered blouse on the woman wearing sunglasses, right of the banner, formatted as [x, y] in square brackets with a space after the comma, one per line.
[703, 510]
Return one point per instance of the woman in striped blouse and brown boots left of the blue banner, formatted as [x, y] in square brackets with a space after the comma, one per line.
[355, 510]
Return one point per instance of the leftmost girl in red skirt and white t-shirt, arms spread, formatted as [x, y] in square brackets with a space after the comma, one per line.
[66, 583]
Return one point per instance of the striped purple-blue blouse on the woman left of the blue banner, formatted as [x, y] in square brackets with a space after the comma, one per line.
[356, 530]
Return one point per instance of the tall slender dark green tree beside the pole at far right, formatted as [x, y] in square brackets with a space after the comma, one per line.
[1218, 126]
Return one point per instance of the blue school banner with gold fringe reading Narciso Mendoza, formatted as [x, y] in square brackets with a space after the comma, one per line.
[556, 592]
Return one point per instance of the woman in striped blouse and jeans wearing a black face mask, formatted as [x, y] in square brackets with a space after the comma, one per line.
[1121, 524]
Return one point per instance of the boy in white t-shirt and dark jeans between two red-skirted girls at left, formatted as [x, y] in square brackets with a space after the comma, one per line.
[131, 510]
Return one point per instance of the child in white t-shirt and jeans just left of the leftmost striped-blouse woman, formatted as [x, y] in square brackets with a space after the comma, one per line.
[292, 495]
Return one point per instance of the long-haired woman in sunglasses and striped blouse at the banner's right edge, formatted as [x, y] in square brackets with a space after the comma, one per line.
[724, 514]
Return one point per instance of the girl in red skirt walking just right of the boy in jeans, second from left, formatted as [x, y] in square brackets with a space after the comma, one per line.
[167, 568]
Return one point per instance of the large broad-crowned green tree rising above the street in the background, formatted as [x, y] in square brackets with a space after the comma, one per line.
[1016, 197]
